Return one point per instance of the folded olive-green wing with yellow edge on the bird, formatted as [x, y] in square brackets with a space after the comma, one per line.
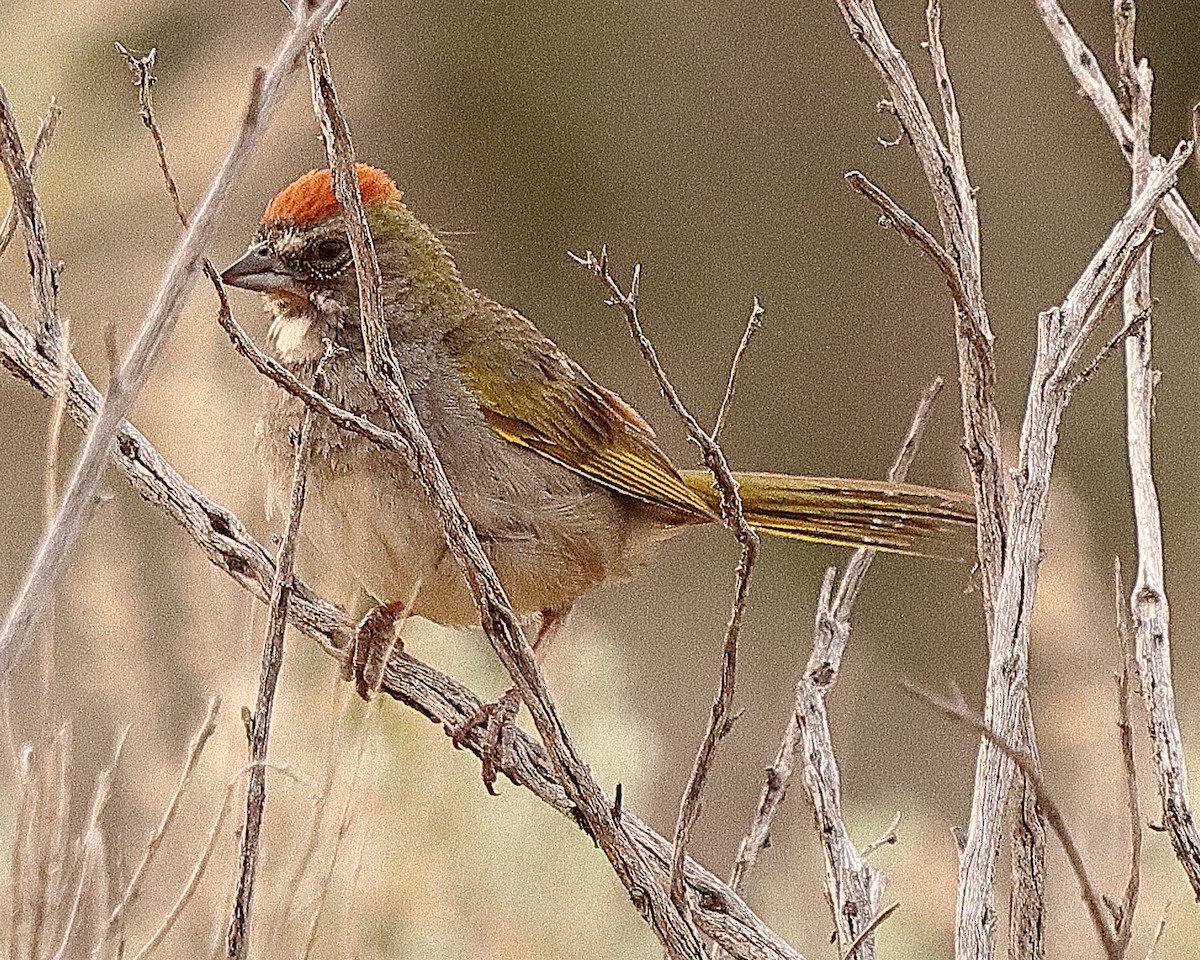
[536, 397]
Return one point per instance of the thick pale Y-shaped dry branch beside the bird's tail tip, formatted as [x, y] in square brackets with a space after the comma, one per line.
[1010, 547]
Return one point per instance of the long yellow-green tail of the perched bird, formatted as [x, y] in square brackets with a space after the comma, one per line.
[896, 518]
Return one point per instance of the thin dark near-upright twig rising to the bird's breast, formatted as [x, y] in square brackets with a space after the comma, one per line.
[260, 729]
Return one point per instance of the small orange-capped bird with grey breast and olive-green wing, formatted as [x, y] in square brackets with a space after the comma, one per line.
[562, 479]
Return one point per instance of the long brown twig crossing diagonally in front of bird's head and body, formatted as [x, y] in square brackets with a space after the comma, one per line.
[501, 625]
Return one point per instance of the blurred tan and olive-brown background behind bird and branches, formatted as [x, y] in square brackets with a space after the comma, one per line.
[709, 142]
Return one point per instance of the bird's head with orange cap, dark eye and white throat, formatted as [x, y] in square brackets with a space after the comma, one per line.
[301, 260]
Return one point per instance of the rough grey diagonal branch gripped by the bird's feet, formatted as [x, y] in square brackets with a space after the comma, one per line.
[224, 539]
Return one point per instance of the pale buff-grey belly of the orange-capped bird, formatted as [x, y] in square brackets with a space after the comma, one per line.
[551, 536]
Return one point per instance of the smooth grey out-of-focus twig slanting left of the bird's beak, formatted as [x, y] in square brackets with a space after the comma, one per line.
[56, 548]
